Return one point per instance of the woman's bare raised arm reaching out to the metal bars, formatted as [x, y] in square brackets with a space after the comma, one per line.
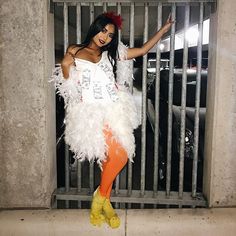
[136, 52]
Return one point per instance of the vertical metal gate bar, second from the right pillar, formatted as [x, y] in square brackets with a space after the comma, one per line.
[183, 101]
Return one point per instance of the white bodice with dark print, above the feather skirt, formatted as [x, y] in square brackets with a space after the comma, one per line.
[96, 80]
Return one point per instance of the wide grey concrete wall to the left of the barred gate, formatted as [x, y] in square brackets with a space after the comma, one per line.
[27, 103]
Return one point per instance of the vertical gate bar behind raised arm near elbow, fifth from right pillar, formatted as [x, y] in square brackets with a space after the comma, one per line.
[144, 106]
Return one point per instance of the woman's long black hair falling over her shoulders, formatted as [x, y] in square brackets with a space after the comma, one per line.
[97, 26]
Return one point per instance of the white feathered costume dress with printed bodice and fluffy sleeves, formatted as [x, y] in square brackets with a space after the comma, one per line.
[93, 102]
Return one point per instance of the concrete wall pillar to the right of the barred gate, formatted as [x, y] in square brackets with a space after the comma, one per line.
[220, 155]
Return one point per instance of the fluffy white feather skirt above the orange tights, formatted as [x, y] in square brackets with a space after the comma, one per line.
[85, 124]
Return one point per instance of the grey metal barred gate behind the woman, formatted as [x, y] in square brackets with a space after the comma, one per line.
[149, 180]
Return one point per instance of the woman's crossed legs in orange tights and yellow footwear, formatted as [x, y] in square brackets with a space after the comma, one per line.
[116, 159]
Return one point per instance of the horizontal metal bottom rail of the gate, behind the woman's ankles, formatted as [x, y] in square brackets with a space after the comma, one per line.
[148, 198]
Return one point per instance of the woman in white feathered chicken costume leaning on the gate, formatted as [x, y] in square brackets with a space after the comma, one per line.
[100, 112]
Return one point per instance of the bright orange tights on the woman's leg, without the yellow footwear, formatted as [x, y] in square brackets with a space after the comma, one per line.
[116, 160]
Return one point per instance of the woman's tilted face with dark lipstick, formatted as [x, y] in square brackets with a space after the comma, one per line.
[105, 36]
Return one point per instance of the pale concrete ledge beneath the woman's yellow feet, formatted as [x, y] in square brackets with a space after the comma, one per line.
[166, 222]
